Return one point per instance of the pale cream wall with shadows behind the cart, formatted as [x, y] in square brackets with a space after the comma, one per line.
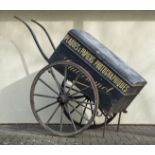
[131, 35]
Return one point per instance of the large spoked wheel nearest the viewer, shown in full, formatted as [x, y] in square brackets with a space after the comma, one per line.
[59, 88]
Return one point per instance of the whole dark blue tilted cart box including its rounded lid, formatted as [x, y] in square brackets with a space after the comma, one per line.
[117, 83]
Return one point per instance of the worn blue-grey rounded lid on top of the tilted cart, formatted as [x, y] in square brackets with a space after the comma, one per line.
[108, 57]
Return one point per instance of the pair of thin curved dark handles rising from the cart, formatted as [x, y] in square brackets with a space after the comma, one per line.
[35, 39]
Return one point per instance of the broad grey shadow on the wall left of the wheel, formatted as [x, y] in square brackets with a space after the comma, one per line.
[15, 102]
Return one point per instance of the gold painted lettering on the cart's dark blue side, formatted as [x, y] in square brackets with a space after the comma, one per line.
[102, 68]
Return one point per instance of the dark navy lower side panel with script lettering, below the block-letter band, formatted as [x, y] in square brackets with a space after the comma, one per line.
[107, 93]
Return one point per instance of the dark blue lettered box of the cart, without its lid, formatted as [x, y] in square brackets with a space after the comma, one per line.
[115, 94]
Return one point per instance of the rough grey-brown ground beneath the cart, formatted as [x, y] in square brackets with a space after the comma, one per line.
[32, 134]
